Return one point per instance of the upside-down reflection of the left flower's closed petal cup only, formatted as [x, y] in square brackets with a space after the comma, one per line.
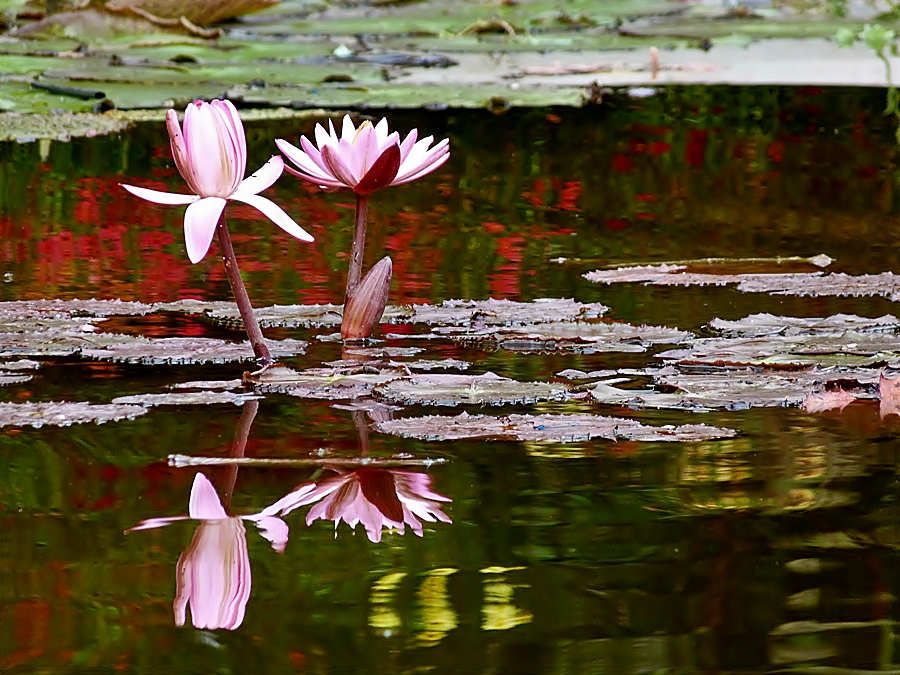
[213, 574]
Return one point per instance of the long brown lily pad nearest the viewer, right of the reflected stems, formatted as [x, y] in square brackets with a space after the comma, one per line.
[556, 428]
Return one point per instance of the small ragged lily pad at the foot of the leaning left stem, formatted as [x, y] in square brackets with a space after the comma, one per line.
[323, 383]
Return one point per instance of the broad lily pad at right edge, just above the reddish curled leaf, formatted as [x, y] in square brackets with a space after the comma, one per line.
[846, 348]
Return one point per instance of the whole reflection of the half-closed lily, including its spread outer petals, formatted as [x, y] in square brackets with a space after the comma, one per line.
[213, 573]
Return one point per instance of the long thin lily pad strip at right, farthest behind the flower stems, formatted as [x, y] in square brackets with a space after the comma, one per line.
[810, 284]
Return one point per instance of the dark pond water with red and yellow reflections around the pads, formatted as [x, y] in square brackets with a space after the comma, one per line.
[777, 550]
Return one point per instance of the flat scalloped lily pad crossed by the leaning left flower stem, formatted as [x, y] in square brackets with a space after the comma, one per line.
[187, 350]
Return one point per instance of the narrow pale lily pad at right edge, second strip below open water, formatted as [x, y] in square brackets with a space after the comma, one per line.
[759, 325]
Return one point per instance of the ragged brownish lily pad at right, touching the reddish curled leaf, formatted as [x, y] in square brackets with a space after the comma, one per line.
[737, 389]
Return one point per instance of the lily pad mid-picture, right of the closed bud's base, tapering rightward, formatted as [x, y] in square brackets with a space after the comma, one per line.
[577, 336]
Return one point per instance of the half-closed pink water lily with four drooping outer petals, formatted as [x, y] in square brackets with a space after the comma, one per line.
[211, 156]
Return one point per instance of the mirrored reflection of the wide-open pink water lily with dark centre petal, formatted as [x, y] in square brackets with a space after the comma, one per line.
[377, 498]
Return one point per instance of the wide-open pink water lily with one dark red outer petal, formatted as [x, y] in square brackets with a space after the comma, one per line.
[363, 159]
